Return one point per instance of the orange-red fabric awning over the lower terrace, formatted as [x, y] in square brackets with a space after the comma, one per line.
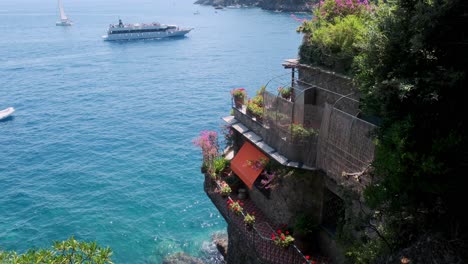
[248, 163]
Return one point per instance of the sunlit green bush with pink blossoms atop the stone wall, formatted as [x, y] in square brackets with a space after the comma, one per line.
[333, 36]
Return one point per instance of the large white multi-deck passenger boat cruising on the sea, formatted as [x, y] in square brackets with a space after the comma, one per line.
[143, 31]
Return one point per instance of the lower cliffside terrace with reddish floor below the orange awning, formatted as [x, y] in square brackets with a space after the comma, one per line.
[258, 239]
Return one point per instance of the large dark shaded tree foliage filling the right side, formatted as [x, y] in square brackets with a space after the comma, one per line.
[412, 73]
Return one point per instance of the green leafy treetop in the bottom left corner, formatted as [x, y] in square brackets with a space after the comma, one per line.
[62, 252]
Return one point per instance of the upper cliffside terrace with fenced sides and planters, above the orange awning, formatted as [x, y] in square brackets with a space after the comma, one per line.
[316, 128]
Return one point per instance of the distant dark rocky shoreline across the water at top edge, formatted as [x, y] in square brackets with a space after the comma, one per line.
[280, 5]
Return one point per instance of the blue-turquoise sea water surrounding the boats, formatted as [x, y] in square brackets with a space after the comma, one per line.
[100, 144]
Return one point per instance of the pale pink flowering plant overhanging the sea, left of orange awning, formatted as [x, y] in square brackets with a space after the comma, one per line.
[208, 142]
